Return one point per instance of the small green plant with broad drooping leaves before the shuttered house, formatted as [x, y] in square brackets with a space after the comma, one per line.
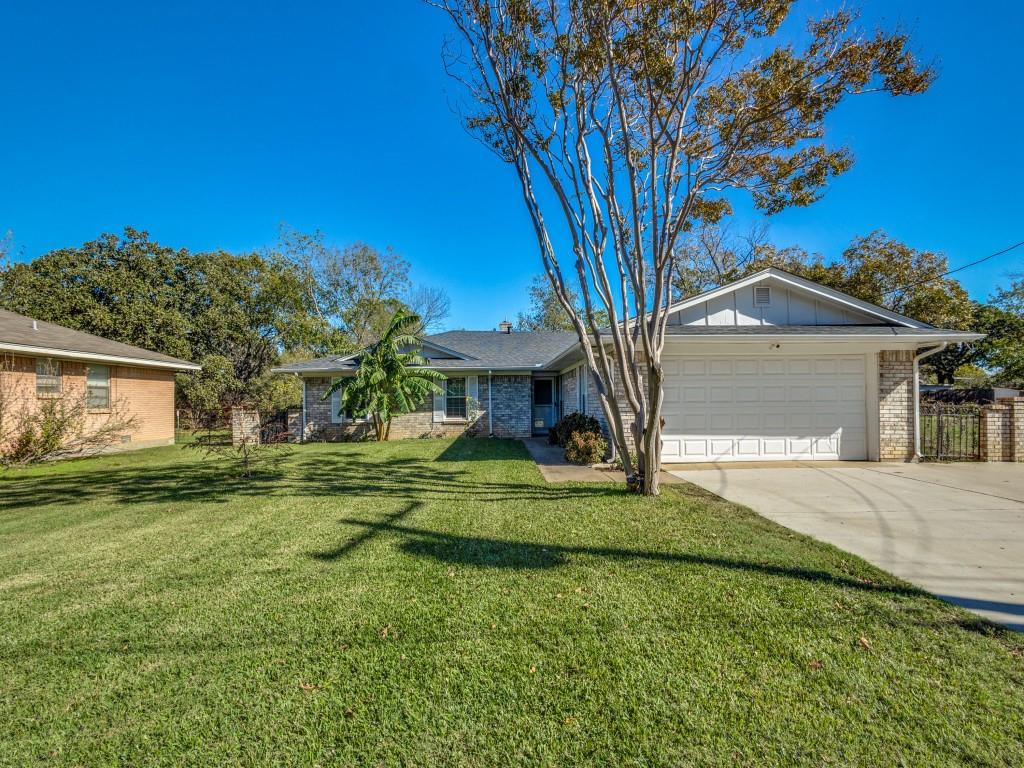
[390, 379]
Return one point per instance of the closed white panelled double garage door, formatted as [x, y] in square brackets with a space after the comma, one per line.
[757, 409]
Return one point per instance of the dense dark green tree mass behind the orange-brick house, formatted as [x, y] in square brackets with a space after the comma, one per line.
[242, 311]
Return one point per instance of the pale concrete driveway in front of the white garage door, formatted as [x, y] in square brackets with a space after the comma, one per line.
[956, 530]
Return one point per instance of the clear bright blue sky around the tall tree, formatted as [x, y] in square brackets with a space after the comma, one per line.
[209, 126]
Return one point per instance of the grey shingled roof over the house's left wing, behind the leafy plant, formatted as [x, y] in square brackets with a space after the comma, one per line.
[481, 351]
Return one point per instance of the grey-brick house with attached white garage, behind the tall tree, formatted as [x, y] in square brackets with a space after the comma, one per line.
[773, 367]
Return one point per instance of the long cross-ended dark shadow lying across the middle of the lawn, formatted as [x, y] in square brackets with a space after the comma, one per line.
[500, 553]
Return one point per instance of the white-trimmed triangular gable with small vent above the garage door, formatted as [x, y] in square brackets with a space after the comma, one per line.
[792, 302]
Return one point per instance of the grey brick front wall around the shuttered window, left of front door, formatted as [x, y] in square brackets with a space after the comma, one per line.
[510, 418]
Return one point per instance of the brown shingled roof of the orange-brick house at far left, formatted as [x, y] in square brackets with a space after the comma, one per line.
[27, 336]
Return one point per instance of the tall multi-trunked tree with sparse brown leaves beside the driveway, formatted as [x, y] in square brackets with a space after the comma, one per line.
[639, 120]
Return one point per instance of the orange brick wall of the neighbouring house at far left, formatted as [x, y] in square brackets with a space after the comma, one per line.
[148, 396]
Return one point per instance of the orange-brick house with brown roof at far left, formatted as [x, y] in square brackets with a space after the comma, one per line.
[42, 361]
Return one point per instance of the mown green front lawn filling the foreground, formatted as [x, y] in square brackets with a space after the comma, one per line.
[430, 603]
